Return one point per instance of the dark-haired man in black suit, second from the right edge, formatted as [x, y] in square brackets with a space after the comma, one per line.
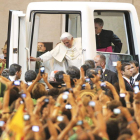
[127, 74]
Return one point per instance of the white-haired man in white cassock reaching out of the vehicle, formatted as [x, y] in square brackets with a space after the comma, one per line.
[66, 53]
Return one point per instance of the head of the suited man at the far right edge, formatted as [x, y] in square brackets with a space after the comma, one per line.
[134, 67]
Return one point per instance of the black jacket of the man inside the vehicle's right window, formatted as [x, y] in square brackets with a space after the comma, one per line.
[105, 38]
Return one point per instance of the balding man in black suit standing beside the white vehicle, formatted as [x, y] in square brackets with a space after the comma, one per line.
[108, 75]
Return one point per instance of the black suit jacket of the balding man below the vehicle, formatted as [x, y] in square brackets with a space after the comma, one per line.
[110, 76]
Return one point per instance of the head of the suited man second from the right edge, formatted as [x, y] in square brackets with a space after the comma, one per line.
[126, 70]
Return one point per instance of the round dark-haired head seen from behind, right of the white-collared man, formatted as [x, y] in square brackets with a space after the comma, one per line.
[30, 75]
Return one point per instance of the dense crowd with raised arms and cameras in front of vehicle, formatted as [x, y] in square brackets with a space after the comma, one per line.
[90, 103]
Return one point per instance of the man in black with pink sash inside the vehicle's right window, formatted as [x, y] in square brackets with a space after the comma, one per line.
[104, 38]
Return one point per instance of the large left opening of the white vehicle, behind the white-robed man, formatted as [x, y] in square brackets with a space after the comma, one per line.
[46, 32]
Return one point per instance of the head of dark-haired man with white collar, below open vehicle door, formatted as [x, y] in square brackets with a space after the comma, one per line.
[15, 69]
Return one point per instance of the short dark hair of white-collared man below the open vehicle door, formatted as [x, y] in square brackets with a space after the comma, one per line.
[14, 68]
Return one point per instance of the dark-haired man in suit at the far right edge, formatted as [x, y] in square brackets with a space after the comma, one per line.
[135, 70]
